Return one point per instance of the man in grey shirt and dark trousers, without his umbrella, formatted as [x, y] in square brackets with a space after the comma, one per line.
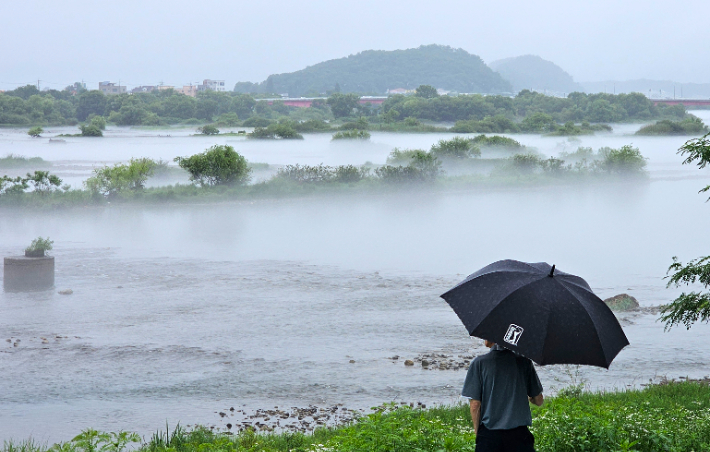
[499, 385]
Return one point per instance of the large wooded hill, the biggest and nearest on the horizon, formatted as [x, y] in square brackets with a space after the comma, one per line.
[376, 71]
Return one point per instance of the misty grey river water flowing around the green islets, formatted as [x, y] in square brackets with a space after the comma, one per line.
[180, 312]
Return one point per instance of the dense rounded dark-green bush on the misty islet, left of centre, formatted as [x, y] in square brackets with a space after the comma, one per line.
[218, 165]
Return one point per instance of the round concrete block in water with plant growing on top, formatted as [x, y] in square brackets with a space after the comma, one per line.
[25, 274]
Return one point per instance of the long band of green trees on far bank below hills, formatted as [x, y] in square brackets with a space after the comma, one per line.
[526, 112]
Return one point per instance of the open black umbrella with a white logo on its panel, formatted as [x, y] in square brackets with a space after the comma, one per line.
[546, 315]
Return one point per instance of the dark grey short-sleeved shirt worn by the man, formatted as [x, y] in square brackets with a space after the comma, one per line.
[502, 381]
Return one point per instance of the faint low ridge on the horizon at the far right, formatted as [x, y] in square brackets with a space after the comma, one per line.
[651, 88]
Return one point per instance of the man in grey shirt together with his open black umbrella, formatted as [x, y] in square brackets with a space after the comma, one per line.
[539, 314]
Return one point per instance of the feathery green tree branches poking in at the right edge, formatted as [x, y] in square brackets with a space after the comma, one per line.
[694, 306]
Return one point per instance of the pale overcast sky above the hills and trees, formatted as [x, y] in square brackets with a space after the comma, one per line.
[177, 42]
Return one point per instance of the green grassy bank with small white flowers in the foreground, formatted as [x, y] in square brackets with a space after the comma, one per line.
[671, 417]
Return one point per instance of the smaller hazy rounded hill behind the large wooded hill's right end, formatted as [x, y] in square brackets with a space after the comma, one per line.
[532, 72]
